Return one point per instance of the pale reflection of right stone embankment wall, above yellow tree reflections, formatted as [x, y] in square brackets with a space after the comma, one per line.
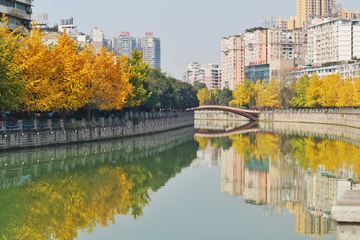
[336, 132]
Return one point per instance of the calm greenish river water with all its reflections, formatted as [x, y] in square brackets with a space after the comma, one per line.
[207, 184]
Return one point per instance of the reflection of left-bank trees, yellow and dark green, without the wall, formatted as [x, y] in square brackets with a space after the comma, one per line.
[94, 189]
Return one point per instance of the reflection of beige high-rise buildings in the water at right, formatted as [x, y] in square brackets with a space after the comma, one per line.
[281, 184]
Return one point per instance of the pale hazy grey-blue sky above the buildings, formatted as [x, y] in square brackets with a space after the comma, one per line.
[190, 30]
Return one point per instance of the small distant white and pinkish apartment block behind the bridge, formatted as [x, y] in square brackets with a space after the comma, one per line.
[210, 75]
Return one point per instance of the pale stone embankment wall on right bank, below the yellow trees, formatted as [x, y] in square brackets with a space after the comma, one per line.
[344, 119]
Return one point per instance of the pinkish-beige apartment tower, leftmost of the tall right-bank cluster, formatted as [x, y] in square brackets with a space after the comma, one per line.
[232, 61]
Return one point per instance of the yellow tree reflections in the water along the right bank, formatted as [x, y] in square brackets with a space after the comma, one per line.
[333, 155]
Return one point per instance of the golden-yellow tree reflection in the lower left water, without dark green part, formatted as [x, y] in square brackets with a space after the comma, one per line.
[56, 207]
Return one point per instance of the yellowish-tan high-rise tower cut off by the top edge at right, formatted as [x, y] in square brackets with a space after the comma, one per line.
[306, 9]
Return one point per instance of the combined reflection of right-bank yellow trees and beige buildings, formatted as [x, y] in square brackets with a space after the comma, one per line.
[305, 175]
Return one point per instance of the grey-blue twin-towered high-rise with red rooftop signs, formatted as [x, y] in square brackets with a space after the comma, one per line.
[149, 45]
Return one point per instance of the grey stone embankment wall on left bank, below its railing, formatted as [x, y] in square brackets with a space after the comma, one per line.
[34, 138]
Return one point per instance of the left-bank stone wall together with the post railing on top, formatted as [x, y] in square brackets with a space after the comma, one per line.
[46, 133]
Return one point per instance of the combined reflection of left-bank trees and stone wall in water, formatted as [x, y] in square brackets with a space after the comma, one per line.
[46, 199]
